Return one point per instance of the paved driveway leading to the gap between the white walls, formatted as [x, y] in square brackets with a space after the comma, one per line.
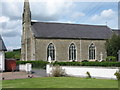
[22, 75]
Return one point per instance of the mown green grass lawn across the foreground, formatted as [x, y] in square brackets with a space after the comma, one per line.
[60, 82]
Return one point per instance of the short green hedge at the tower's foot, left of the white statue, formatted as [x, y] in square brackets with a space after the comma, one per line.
[35, 64]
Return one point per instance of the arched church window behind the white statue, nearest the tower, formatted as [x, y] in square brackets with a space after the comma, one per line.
[51, 51]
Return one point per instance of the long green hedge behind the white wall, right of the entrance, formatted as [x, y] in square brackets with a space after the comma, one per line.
[103, 64]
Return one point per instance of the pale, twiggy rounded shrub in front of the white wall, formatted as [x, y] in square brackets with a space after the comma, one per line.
[57, 71]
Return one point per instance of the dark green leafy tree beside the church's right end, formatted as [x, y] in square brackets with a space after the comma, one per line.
[113, 45]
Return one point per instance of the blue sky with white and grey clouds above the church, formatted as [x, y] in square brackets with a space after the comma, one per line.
[93, 12]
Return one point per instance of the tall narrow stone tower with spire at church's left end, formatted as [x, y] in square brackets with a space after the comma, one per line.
[26, 24]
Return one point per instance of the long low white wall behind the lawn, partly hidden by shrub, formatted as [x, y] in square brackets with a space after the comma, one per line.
[80, 71]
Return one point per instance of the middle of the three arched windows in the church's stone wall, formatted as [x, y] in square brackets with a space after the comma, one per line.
[72, 52]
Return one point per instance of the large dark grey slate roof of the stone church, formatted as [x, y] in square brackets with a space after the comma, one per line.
[64, 30]
